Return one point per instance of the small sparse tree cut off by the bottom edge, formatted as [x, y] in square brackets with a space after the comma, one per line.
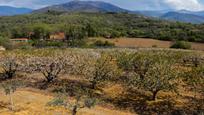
[74, 104]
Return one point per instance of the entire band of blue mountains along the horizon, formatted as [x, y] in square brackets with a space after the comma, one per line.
[98, 6]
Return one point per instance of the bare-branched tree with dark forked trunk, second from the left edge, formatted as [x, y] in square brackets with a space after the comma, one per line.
[50, 66]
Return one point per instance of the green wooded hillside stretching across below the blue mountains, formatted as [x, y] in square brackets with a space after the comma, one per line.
[111, 25]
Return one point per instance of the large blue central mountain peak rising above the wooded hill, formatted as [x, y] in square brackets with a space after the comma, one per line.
[83, 6]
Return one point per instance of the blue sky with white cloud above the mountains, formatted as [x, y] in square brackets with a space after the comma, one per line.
[193, 5]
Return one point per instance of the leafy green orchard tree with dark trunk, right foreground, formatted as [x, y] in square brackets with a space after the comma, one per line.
[159, 76]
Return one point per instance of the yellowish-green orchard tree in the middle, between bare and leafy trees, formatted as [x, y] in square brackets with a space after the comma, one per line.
[102, 69]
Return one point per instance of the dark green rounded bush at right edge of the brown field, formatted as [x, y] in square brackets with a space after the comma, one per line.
[181, 45]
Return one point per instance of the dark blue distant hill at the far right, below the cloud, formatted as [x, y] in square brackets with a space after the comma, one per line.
[183, 17]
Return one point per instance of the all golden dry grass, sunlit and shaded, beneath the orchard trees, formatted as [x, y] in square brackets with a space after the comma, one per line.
[32, 101]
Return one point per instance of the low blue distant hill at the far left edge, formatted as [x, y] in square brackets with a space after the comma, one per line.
[9, 11]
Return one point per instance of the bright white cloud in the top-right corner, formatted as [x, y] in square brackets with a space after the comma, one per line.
[194, 5]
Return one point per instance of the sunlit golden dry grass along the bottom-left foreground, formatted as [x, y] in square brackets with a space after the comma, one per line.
[32, 102]
